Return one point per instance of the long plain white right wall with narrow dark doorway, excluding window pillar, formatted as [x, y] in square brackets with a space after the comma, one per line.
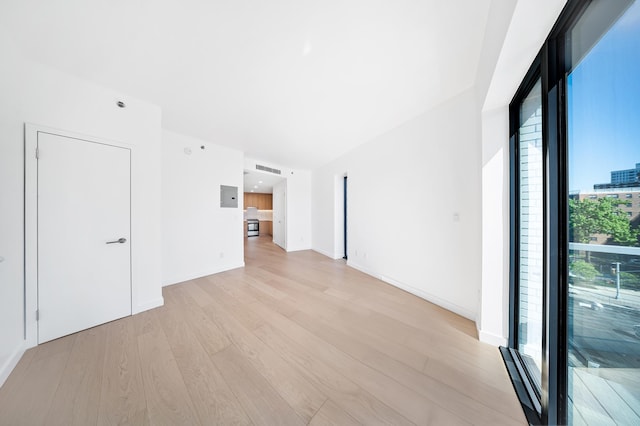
[414, 206]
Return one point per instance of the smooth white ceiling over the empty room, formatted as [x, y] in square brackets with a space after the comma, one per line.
[293, 82]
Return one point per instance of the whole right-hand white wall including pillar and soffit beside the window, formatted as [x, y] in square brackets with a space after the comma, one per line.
[416, 162]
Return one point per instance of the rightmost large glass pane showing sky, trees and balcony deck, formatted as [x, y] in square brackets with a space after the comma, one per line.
[603, 258]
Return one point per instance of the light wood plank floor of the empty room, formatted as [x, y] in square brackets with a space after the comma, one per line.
[291, 339]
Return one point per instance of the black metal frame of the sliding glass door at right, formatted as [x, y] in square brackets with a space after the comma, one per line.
[550, 65]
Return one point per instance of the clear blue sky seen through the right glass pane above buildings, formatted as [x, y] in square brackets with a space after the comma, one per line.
[604, 106]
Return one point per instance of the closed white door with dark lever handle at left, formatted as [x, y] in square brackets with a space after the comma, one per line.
[84, 256]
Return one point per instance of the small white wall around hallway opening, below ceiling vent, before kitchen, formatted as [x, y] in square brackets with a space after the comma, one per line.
[298, 216]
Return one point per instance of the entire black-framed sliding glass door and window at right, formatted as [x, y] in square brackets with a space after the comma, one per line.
[574, 347]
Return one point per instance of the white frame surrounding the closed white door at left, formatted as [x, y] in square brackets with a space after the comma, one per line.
[31, 220]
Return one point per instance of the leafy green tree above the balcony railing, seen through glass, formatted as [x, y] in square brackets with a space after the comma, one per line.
[601, 216]
